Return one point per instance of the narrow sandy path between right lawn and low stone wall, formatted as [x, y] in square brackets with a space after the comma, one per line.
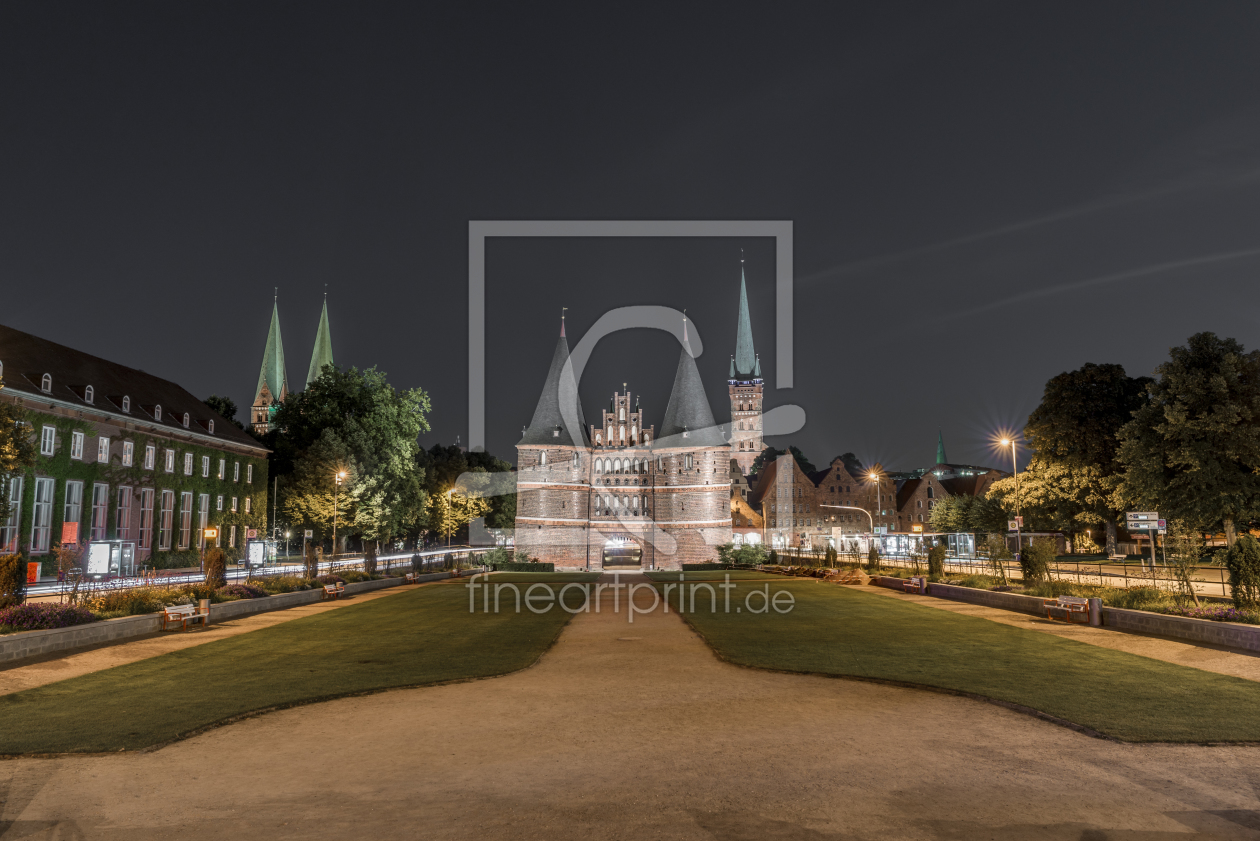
[1210, 659]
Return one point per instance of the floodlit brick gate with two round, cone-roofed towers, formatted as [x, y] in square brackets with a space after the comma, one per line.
[589, 497]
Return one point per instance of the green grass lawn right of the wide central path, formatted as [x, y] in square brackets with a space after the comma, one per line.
[844, 631]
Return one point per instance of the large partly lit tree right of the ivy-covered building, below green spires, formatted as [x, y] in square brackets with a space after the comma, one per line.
[352, 422]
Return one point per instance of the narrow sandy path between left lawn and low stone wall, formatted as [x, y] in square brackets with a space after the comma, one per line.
[60, 666]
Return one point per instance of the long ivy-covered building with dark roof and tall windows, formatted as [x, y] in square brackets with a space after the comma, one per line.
[124, 456]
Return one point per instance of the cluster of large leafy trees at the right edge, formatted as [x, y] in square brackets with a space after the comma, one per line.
[1185, 443]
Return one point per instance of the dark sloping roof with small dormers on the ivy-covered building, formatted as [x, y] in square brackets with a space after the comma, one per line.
[26, 360]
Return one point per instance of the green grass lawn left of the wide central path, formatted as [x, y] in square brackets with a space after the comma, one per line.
[423, 636]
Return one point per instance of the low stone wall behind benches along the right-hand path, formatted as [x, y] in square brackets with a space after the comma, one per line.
[1142, 622]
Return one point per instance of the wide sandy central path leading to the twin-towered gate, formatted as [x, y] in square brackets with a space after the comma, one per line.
[637, 732]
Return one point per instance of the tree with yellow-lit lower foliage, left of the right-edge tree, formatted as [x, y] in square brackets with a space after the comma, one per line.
[1074, 475]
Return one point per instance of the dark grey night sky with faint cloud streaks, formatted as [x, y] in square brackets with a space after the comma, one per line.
[983, 196]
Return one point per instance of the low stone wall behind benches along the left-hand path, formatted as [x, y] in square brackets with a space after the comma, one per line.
[32, 644]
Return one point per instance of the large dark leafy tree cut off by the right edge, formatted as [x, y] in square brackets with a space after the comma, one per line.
[1193, 452]
